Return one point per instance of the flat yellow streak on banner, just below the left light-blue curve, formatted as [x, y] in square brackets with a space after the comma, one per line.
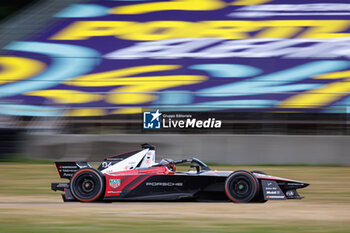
[67, 96]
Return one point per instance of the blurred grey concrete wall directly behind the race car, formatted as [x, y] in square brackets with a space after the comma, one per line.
[230, 149]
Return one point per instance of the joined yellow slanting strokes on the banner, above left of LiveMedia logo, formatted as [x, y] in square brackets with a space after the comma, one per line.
[136, 90]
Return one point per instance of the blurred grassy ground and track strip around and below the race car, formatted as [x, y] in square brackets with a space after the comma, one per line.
[28, 205]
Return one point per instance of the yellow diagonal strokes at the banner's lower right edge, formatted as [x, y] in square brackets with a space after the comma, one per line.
[321, 96]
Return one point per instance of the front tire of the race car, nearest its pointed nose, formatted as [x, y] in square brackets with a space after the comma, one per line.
[241, 187]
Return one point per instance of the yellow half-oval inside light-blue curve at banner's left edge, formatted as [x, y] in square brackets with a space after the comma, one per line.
[13, 69]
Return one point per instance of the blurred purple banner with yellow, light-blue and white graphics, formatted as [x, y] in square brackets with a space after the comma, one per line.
[116, 57]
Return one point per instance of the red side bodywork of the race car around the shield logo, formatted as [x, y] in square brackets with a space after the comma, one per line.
[132, 178]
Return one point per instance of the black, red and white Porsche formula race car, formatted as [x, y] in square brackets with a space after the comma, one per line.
[135, 176]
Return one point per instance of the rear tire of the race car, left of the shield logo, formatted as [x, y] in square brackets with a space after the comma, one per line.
[88, 185]
